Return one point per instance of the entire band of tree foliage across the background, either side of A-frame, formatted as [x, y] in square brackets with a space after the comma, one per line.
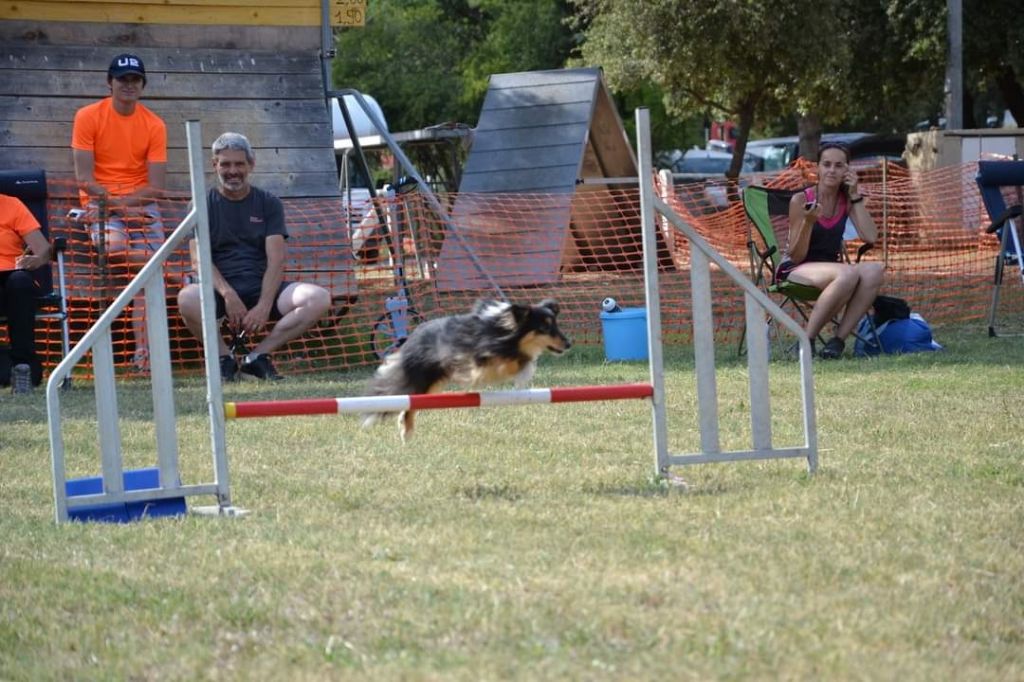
[874, 66]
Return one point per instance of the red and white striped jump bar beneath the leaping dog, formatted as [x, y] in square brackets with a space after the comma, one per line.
[372, 404]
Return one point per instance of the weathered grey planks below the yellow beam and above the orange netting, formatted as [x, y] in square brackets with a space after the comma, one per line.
[263, 81]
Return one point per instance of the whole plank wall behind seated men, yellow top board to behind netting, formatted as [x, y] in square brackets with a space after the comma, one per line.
[262, 80]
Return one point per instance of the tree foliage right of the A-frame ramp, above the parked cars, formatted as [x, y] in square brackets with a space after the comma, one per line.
[875, 66]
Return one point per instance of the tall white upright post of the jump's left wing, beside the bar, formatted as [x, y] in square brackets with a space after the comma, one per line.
[215, 394]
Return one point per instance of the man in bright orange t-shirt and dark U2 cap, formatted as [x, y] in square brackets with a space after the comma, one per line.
[120, 152]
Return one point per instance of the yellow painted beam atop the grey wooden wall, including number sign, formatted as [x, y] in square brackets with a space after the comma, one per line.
[231, 13]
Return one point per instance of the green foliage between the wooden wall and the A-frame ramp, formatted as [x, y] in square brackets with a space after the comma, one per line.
[428, 62]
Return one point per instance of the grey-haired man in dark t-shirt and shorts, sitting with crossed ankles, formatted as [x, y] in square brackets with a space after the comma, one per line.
[247, 238]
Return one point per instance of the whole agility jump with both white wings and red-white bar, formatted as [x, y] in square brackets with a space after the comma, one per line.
[114, 487]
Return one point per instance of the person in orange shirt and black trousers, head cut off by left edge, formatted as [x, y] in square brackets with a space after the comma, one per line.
[23, 249]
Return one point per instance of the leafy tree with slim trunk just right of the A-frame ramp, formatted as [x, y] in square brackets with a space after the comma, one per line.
[750, 61]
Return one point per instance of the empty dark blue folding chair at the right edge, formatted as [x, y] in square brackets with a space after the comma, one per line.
[993, 177]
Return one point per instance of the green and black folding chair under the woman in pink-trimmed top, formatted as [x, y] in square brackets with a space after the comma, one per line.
[769, 210]
